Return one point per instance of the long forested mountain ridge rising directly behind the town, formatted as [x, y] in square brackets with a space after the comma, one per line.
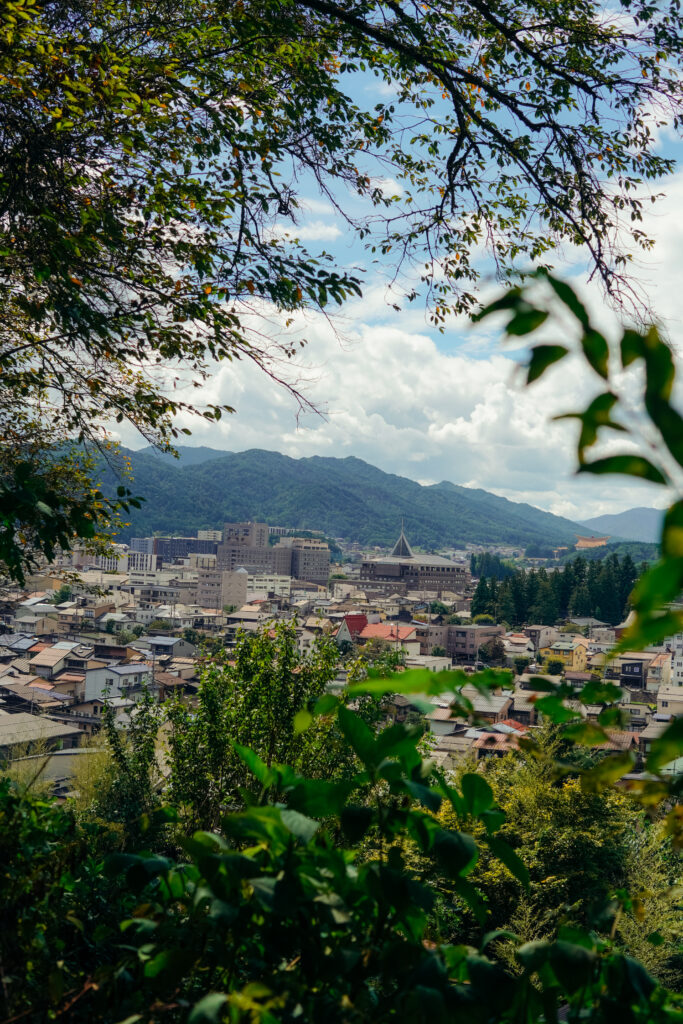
[346, 498]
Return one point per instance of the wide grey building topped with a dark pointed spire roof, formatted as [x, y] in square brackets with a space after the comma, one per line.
[404, 571]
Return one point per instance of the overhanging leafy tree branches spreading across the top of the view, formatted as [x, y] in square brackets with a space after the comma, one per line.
[151, 191]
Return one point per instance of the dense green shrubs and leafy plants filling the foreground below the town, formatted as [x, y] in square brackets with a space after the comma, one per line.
[200, 879]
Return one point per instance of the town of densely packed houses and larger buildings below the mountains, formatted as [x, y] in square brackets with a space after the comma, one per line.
[96, 631]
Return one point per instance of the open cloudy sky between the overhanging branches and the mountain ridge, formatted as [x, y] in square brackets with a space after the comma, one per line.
[394, 392]
